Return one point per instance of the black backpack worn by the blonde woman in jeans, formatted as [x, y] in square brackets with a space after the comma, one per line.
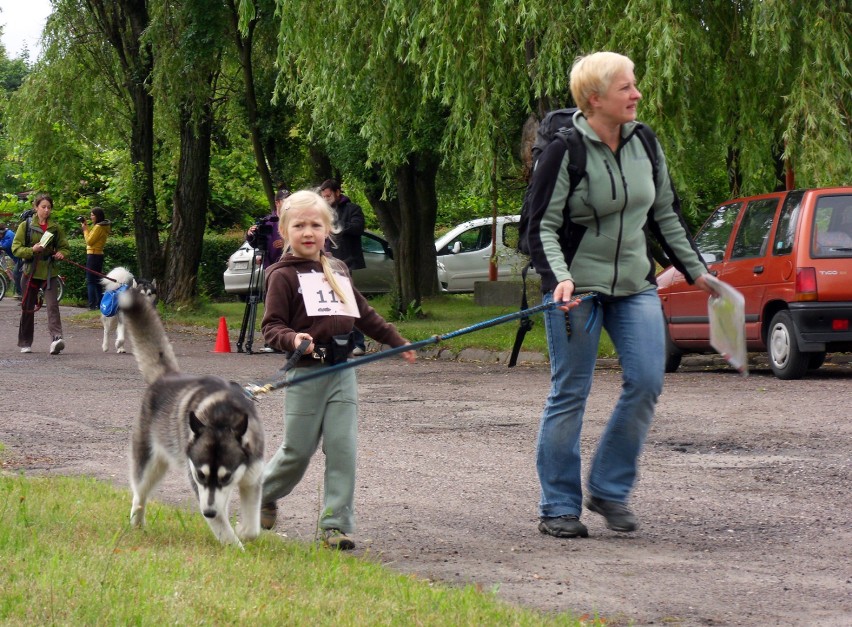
[559, 125]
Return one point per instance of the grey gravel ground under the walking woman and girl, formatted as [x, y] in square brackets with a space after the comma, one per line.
[743, 495]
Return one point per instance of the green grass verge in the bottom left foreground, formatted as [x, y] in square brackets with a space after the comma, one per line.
[70, 557]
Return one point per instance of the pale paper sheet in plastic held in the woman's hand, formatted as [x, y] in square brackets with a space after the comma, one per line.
[727, 324]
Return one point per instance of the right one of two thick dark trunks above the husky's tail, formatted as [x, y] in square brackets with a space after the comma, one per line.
[183, 253]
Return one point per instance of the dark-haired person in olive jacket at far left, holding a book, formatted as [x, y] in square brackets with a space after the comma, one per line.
[39, 272]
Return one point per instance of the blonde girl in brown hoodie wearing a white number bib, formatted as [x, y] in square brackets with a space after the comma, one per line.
[307, 293]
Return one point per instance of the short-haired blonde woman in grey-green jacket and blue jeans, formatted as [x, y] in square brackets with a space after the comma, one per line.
[594, 240]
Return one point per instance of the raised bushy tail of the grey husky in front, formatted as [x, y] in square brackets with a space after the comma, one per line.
[154, 354]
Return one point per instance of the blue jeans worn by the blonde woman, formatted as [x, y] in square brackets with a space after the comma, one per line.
[635, 326]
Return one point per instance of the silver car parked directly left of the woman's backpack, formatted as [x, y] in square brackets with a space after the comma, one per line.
[464, 253]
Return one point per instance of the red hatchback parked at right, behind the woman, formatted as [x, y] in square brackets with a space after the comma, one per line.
[790, 254]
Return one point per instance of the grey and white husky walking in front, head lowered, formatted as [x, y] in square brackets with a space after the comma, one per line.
[204, 422]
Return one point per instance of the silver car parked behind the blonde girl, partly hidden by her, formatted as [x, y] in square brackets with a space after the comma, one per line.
[376, 278]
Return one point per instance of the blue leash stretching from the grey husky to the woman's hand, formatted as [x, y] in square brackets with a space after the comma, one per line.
[278, 382]
